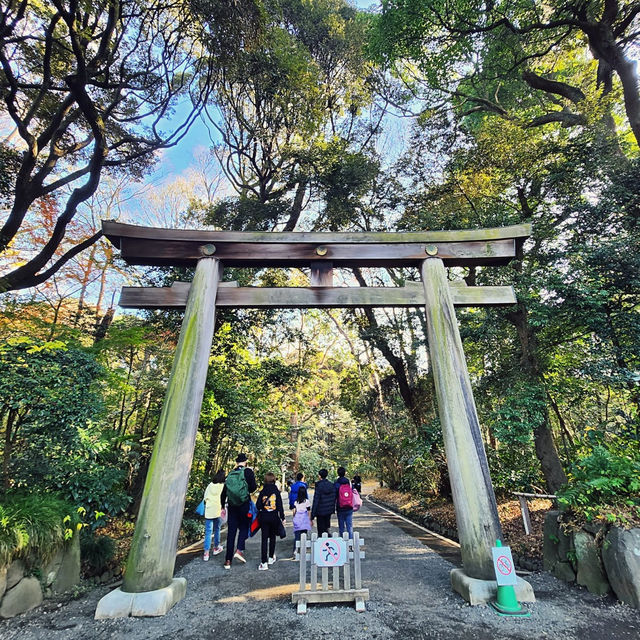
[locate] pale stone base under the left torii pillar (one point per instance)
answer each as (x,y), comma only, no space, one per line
(120,604)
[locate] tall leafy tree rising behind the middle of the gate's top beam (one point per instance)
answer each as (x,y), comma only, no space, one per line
(285,104)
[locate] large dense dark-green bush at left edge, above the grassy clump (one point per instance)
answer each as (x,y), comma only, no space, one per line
(51,407)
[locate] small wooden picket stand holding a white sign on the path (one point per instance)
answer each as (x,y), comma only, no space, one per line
(327,591)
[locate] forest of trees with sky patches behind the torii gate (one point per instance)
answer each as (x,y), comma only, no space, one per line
(317,115)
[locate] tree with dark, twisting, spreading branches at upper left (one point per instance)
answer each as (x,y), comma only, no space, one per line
(89,88)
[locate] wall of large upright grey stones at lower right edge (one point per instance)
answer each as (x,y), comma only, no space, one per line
(600,558)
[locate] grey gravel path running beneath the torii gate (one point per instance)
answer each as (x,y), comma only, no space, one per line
(410,598)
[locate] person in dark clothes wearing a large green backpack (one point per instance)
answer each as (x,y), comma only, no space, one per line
(238,487)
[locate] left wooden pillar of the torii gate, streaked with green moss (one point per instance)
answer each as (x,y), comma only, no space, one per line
(152,556)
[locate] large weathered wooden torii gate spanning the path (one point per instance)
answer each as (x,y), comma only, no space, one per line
(149,587)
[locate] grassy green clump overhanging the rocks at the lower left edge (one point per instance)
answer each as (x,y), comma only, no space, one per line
(33,526)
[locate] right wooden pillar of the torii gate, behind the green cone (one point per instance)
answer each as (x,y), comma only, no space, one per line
(473,495)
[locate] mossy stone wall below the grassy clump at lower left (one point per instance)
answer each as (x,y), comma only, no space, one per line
(21,591)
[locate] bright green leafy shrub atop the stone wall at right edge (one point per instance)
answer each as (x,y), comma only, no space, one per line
(604,485)
